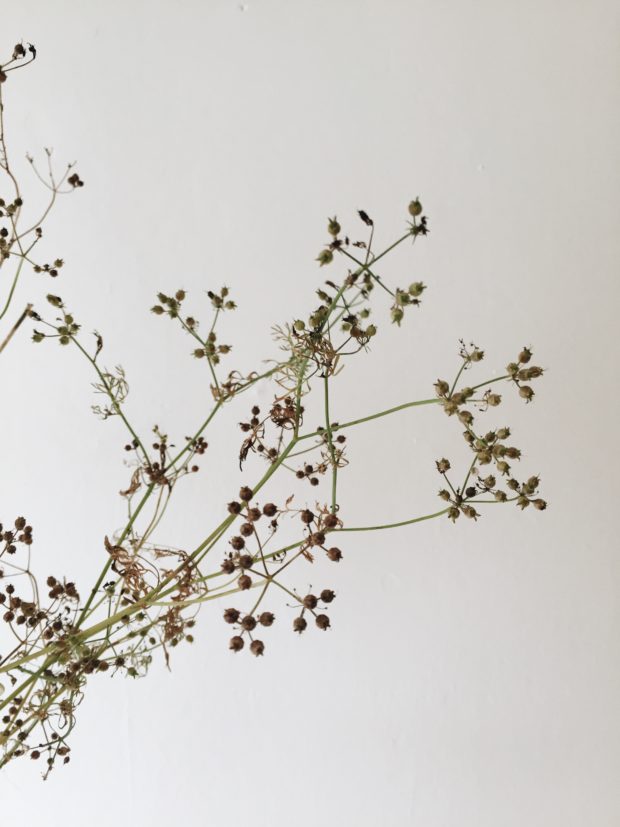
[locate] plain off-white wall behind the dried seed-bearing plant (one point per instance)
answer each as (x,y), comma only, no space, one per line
(472,674)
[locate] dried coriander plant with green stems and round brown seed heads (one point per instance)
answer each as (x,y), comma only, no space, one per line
(146,595)
